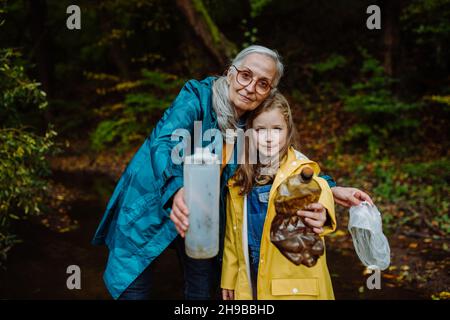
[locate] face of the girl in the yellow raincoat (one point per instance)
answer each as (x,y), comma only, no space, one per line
(270,132)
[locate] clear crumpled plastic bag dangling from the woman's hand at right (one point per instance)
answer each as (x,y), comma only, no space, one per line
(371,245)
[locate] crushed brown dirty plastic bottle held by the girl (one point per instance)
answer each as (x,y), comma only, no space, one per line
(288,232)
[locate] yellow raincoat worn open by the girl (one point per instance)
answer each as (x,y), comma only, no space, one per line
(278,278)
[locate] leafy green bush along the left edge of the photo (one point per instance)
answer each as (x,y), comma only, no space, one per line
(23,152)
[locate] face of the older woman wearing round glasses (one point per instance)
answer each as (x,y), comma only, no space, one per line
(246,98)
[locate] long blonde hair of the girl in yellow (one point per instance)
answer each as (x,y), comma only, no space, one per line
(248,174)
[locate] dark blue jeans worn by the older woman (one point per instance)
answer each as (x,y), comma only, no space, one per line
(201,278)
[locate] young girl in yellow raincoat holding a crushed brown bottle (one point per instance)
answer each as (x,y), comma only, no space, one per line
(253,268)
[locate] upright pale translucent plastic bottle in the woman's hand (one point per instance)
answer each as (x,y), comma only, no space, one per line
(201,183)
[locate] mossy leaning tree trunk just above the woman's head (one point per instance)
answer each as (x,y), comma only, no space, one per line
(217,44)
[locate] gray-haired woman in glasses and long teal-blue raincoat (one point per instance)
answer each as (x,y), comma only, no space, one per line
(147,210)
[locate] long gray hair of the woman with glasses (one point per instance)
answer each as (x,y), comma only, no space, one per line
(226,113)
